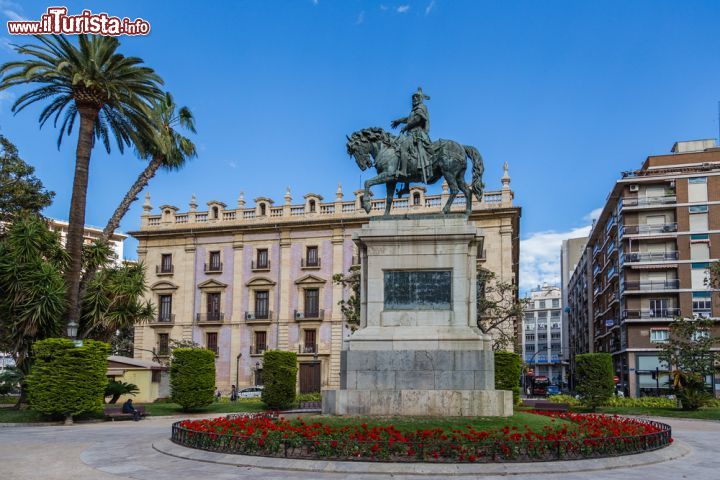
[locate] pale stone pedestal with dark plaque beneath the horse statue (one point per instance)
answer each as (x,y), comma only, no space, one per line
(418,351)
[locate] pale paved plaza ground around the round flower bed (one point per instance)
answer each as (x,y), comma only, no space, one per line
(129,450)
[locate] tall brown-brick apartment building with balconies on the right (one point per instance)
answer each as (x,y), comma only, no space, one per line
(647,262)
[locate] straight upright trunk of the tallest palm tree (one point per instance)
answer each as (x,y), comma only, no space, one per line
(76,226)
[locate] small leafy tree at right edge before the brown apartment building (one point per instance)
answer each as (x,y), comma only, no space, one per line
(688,353)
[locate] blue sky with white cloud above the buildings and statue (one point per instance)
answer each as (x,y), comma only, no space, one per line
(568,93)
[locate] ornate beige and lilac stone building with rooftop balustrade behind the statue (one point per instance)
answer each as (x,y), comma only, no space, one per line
(242,280)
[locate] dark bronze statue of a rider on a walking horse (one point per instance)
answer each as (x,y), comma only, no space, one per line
(413,157)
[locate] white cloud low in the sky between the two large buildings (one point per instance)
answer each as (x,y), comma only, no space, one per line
(540,255)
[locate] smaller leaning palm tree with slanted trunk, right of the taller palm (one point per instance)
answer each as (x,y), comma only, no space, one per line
(166,148)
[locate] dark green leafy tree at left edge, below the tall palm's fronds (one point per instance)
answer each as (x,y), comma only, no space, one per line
(21,192)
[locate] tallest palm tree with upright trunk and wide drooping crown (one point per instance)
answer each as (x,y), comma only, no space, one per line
(107,90)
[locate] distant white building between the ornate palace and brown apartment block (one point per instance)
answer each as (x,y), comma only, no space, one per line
(542,338)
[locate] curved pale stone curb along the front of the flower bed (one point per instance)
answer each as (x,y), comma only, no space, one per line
(672,452)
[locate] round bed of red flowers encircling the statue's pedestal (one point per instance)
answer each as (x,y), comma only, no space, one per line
(583,436)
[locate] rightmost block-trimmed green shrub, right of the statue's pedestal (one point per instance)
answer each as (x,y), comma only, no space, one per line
(595,383)
